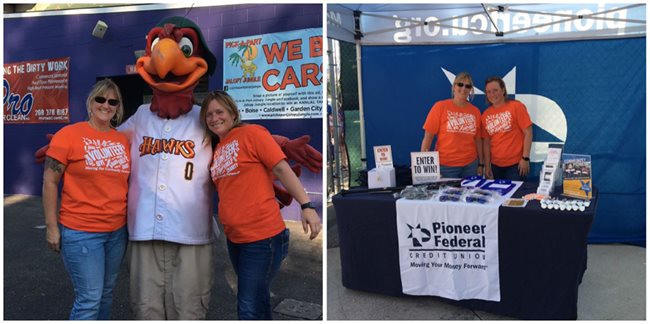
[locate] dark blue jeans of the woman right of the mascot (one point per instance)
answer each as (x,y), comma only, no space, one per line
(256,264)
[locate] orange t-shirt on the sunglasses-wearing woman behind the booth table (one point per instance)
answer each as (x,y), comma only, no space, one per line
(457,128)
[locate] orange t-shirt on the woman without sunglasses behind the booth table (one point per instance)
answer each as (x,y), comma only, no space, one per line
(505,128)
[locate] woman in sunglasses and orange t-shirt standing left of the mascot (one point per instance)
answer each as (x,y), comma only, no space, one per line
(93,160)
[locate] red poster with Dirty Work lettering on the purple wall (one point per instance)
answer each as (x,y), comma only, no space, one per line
(36,91)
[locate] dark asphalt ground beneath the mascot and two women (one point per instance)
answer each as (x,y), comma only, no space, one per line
(36,286)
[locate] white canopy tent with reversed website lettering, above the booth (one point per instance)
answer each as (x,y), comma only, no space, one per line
(427,24)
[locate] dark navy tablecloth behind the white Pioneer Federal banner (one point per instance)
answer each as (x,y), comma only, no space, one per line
(542,254)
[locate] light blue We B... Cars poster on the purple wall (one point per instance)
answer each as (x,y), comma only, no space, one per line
(276,76)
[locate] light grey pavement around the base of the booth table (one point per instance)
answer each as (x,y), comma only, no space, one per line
(613,288)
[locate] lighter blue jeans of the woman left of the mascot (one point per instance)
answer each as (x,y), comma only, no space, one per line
(93,261)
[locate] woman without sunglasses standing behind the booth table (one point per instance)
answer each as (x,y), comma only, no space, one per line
(507,134)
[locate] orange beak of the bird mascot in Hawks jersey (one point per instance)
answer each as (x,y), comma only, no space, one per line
(168,70)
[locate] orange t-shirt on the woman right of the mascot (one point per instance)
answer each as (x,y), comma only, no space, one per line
(241,172)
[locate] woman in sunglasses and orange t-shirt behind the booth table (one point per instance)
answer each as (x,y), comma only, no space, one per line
(457,123)
